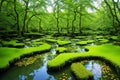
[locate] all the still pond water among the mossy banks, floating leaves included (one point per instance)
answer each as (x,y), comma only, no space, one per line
(35,67)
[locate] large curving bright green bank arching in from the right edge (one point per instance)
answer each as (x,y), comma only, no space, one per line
(108,51)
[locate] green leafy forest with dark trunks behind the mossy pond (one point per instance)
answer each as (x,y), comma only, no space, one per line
(60,16)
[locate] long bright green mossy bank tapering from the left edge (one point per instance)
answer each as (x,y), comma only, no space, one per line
(10,54)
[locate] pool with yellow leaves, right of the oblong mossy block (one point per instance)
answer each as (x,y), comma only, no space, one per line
(98,69)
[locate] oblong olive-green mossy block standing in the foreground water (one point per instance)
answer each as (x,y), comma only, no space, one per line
(81,72)
